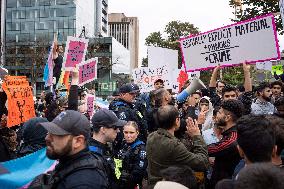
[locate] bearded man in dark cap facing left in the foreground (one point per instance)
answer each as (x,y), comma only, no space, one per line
(66,142)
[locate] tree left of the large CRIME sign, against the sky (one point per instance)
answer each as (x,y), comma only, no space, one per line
(173,31)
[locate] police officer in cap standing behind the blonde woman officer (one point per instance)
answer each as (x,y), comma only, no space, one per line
(125,109)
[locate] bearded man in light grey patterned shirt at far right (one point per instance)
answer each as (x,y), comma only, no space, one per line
(262,104)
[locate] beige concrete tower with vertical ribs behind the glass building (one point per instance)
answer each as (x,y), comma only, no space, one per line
(126,31)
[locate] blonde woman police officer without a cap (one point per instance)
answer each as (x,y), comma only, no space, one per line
(133,157)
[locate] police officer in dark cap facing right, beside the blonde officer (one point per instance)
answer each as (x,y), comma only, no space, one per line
(105,126)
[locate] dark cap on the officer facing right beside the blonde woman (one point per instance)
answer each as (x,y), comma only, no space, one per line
(106,118)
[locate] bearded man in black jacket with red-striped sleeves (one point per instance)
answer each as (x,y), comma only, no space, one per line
(225,151)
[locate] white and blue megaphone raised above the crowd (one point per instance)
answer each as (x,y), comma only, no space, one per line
(195,85)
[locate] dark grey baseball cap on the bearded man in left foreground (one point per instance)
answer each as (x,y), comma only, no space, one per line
(69,122)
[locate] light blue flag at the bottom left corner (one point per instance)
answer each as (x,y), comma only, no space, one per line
(18,173)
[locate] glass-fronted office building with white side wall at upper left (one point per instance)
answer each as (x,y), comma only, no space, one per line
(30,26)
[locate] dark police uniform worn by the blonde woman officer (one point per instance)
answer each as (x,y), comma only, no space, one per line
(134,164)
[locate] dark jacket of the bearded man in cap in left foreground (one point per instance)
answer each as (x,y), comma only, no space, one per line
(80,171)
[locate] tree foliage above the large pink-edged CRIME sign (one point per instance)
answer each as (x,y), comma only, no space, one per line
(255,8)
